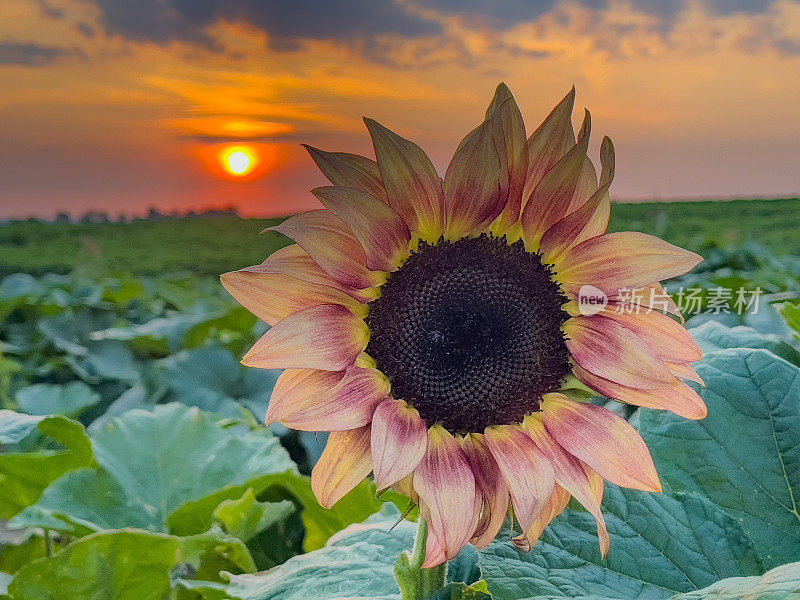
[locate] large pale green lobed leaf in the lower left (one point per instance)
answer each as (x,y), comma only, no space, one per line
(165,470)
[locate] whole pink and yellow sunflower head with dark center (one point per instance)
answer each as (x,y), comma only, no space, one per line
(435,328)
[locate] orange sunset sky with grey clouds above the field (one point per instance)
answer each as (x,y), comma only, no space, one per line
(120,106)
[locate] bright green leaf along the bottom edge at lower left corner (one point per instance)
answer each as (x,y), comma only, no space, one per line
(123,565)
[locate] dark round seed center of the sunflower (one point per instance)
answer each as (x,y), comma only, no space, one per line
(469,332)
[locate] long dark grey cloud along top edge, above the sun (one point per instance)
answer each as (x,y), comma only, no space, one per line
(286,21)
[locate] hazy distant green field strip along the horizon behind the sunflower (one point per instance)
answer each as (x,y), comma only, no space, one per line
(210,245)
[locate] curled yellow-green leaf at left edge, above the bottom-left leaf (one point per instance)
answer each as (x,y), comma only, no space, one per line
(25,475)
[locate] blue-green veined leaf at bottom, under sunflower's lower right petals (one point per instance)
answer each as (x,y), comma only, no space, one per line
(659,546)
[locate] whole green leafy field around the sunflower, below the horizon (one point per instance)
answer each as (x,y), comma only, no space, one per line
(134,463)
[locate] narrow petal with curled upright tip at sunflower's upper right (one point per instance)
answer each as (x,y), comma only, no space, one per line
(588,221)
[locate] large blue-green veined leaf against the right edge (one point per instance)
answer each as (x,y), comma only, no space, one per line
(745,456)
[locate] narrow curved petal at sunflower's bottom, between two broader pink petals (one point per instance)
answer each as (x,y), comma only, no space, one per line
(491,486)
